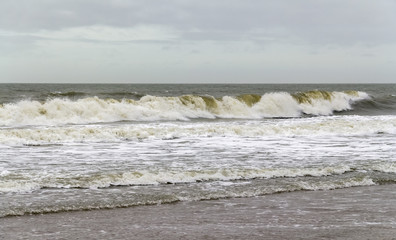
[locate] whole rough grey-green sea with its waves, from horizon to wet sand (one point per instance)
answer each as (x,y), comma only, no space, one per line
(80,147)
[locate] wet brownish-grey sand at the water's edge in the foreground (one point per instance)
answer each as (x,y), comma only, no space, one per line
(353,213)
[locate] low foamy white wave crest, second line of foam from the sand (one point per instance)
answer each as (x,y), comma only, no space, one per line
(147,177)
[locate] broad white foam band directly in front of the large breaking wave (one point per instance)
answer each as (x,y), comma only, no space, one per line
(321,126)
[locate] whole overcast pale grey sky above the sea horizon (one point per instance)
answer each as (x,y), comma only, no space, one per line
(197,41)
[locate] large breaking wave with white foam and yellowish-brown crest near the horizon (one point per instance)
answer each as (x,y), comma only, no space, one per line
(63,111)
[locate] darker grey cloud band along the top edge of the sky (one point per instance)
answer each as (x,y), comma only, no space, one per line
(313,21)
